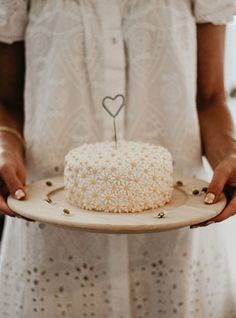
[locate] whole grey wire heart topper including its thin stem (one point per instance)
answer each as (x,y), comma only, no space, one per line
(113,109)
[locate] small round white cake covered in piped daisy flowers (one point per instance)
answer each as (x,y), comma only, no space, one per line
(131,177)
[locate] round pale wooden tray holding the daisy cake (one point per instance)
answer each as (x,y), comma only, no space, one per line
(46,202)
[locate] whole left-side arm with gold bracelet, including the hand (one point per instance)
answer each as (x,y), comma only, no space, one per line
(12,170)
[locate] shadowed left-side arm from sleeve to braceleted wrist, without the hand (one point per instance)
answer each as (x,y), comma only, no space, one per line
(12,71)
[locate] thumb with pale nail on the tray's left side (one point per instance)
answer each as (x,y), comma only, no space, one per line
(13,183)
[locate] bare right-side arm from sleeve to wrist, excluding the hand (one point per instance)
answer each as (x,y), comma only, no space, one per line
(216,125)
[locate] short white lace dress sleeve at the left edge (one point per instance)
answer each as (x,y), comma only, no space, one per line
(13,20)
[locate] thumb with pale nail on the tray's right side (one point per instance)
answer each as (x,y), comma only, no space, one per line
(216,186)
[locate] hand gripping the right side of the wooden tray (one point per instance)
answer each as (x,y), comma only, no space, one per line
(224,180)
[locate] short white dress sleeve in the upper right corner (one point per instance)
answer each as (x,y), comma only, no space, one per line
(214,11)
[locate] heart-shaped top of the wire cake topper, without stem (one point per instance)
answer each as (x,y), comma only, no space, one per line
(113,105)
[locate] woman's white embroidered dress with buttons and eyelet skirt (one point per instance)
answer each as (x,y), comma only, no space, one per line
(77,52)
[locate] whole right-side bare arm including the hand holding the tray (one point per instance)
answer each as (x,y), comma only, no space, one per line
(216,123)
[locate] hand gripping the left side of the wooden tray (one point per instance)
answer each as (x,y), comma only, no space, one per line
(12,172)
